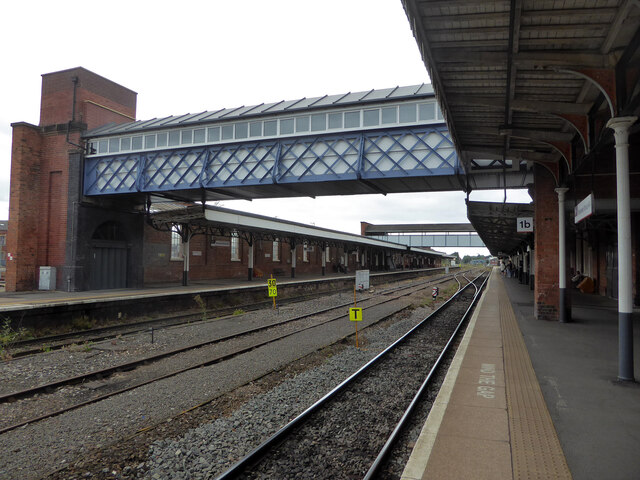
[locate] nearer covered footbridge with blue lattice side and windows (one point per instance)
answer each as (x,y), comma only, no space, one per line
(381,141)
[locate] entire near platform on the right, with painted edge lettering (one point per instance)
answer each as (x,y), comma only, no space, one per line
(526,398)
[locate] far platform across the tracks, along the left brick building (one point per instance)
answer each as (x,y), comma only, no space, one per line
(37,308)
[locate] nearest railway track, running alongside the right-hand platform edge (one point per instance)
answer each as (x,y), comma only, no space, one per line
(350,431)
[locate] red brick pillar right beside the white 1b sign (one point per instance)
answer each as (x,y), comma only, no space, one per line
(546,286)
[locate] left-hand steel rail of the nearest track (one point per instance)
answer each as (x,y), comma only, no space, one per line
(254,456)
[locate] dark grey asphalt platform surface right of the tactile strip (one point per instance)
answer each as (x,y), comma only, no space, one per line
(596,417)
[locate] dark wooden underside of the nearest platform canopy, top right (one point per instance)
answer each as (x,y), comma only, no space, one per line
(515,78)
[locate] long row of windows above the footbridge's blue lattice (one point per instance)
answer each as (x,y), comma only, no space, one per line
(319,122)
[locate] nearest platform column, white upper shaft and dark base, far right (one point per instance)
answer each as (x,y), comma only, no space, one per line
(620,126)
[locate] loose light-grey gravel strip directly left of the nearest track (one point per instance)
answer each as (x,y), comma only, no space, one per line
(208,450)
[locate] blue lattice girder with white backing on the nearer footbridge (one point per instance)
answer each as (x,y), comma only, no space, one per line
(375,154)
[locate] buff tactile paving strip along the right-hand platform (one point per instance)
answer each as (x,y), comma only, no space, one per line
(535,449)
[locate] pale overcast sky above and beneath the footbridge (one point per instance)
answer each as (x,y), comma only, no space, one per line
(190,56)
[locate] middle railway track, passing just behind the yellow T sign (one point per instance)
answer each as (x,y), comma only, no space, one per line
(304,323)
